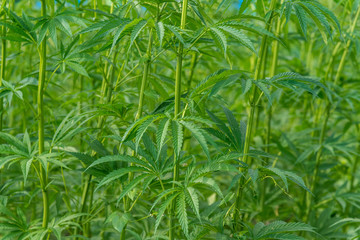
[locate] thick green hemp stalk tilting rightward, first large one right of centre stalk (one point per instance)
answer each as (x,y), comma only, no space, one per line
(253,102)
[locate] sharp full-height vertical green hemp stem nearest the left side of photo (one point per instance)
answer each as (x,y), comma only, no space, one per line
(40,106)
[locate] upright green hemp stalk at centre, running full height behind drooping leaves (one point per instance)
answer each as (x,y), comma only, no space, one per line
(177,111)
